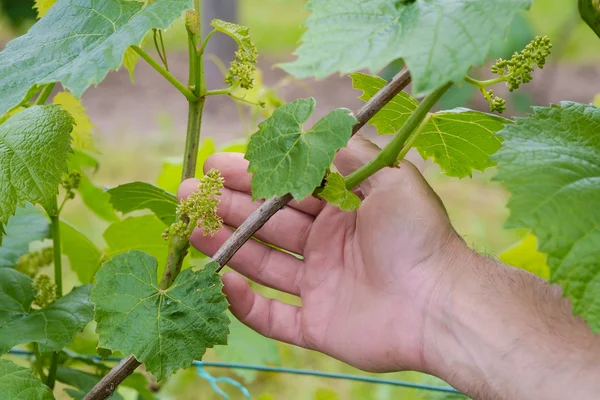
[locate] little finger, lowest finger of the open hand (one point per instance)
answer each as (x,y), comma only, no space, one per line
(269,317)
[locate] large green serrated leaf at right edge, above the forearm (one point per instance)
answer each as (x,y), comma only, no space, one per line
(550,163)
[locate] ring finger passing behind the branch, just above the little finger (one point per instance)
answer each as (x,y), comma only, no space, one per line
(256,261)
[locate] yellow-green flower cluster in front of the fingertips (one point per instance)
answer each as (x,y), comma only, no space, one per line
(199,209)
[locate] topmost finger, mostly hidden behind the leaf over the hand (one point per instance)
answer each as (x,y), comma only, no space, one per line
(234,169)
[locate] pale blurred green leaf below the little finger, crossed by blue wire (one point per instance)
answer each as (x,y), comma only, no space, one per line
(245,346)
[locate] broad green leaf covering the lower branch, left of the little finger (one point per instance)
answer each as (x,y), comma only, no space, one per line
(164,329)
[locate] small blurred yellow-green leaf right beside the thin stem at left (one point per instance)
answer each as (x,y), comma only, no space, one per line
(84,256)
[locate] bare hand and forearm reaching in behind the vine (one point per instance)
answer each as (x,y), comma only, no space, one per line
(393,287)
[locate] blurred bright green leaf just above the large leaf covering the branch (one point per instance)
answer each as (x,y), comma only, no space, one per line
(139,233)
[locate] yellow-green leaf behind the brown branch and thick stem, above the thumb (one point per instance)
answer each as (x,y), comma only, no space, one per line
(459,140)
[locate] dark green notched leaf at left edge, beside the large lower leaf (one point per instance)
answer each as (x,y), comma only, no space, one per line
(53,327)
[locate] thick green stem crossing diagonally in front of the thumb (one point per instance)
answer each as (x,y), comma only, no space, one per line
(389,155)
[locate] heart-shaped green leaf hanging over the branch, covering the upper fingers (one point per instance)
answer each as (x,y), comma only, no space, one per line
(285,159)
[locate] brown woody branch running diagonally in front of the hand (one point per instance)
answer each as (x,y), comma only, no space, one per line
(253,223)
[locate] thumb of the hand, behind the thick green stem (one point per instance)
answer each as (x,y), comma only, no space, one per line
(360,151)
